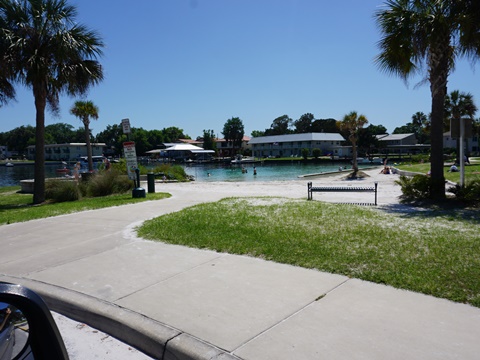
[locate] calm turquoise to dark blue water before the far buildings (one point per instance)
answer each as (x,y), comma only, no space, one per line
(10,176)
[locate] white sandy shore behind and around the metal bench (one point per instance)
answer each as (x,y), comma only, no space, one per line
(388,191)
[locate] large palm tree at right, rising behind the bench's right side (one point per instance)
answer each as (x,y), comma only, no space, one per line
(431,35)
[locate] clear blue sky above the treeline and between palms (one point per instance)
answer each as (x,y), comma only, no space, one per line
(194,64)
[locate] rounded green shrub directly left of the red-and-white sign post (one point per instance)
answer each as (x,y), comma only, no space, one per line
(107,183)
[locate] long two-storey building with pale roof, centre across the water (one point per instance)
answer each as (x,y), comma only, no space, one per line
(292,145)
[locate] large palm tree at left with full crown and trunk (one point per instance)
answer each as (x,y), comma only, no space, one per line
(43,48)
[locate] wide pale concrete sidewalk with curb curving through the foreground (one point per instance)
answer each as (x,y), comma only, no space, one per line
(173,302)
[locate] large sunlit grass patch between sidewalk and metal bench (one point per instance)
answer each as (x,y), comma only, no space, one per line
(434,252)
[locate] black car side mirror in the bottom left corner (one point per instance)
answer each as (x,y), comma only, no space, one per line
(27,329)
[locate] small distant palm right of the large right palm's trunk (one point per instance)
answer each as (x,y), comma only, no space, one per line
(459,107)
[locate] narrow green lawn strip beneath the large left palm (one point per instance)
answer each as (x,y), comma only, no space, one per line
(17,207)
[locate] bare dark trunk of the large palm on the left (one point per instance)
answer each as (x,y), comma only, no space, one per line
(39,170)
